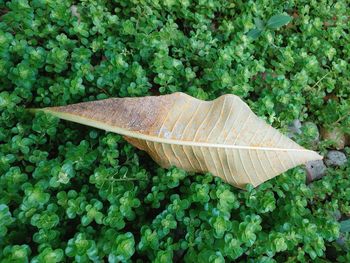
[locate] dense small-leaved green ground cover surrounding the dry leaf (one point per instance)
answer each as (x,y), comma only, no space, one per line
(69,192)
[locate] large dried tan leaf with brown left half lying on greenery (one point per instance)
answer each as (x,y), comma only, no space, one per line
(222,136)
